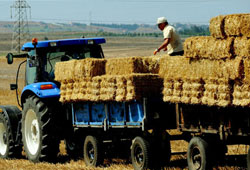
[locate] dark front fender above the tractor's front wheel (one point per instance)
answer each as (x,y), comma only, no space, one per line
(14,115)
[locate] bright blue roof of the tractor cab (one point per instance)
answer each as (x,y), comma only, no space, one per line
(65,42)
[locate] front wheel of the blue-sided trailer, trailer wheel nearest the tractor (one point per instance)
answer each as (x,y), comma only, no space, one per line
(92,150)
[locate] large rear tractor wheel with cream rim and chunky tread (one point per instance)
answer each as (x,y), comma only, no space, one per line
(39,137)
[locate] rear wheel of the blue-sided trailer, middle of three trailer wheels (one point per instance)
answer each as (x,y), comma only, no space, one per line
(140,154)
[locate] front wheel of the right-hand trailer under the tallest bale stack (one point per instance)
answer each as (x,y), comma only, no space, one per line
(197,154)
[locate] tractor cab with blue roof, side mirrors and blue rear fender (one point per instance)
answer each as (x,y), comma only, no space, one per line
(41,57)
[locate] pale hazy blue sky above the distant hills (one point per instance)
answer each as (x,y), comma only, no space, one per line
(126,11)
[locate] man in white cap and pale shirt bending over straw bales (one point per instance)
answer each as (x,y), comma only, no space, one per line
(172,42)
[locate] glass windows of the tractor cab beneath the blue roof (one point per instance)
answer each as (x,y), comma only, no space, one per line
(59,54)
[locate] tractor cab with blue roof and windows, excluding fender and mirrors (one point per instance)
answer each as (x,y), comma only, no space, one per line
(43,55)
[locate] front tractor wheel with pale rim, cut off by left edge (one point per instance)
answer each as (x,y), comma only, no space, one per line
(8,149)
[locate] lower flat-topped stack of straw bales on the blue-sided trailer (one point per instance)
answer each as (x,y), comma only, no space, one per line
(115,79)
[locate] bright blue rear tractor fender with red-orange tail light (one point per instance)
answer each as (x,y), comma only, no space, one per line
(52,91)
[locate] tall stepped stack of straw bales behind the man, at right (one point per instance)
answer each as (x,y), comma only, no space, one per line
(215,70)
